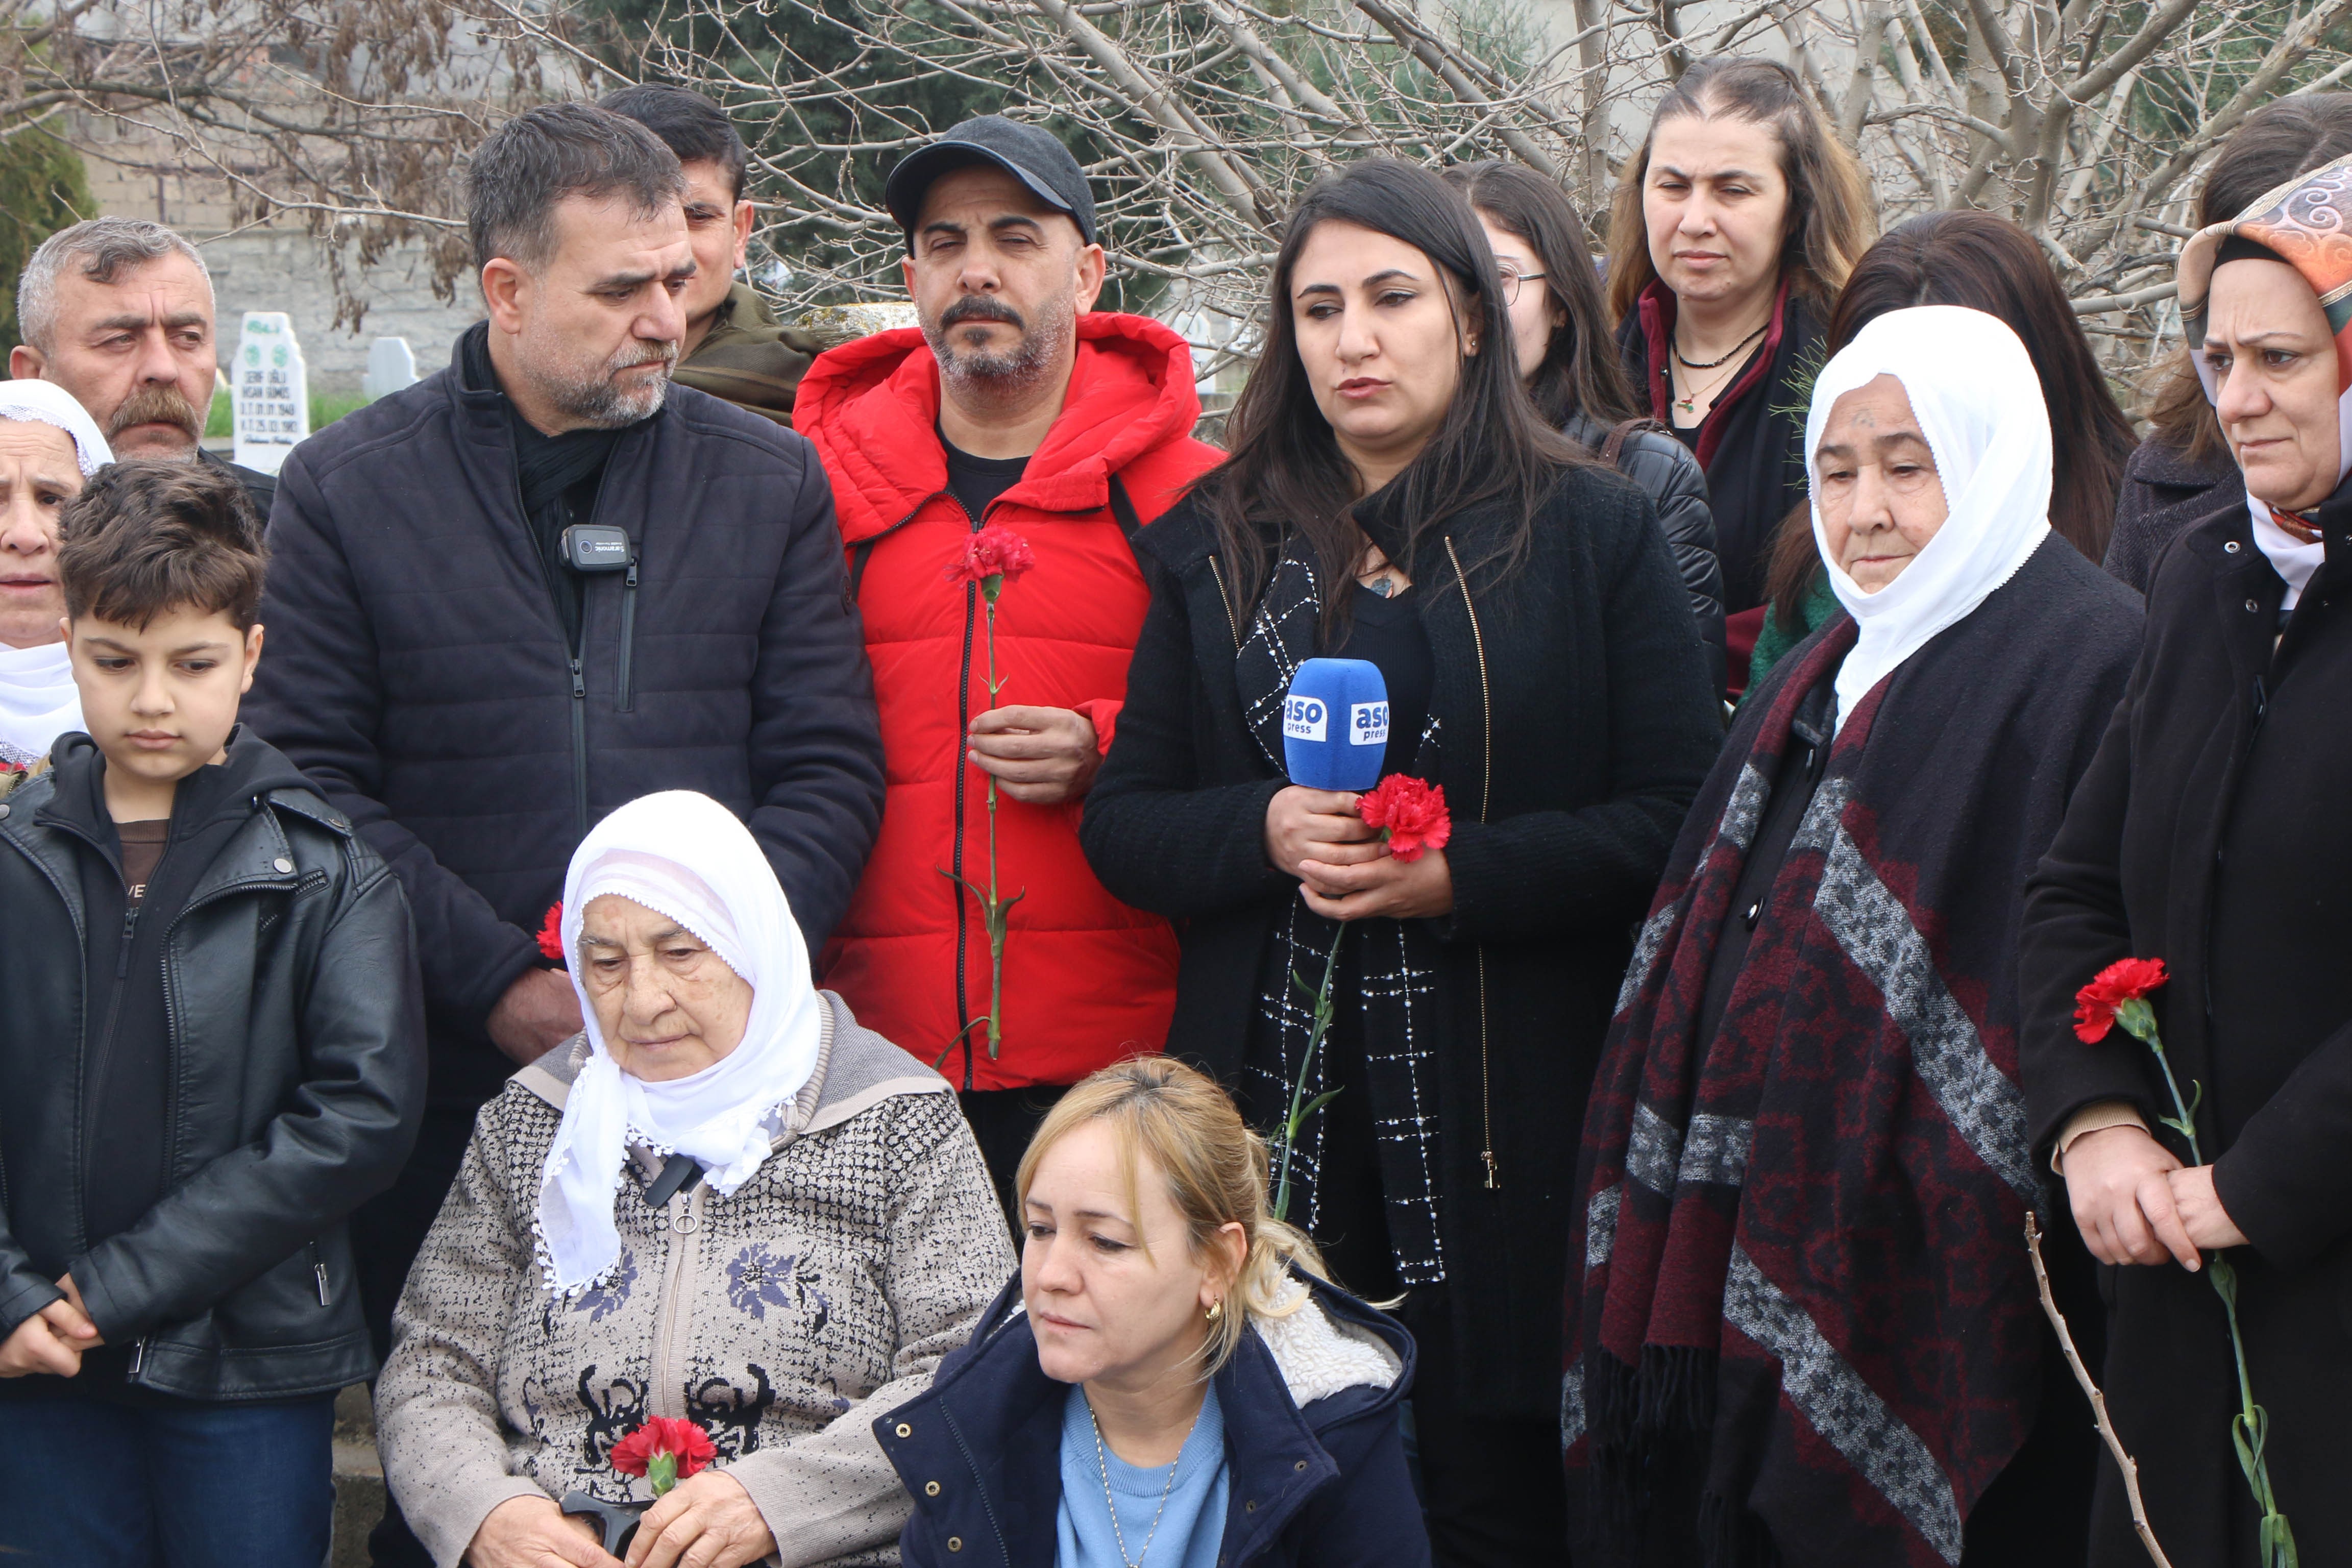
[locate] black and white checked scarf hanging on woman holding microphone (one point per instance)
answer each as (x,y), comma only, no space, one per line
(1396,965)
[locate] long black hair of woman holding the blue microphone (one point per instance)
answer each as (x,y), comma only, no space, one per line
(1285,471)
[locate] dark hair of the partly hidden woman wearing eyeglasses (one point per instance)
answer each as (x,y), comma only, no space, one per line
(1539,215)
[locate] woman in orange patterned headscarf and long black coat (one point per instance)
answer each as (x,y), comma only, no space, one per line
(2210,833)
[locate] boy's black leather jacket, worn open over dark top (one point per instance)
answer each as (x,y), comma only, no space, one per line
(298,1080)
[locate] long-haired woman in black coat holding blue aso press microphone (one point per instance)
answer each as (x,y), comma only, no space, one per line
(1391,497)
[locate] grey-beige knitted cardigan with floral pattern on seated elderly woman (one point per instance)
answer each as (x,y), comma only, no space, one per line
(782,1320)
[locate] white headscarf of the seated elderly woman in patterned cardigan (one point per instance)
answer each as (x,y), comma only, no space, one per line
(690,859)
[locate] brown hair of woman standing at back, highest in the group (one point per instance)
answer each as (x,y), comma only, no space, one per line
(1829,196)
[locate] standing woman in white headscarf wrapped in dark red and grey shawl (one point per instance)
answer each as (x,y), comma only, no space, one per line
(1805,1327)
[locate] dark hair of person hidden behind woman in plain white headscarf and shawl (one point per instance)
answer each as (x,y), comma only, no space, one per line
(1986,264)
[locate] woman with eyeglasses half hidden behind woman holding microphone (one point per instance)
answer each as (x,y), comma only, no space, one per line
(1553,297)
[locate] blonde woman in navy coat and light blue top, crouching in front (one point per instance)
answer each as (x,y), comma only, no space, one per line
(1170,1379)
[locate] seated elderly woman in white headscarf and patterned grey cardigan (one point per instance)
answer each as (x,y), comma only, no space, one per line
(721,1205)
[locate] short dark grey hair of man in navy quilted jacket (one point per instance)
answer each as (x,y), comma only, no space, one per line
(535,161)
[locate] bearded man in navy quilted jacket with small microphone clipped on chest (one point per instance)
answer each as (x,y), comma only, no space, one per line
(547,582)
